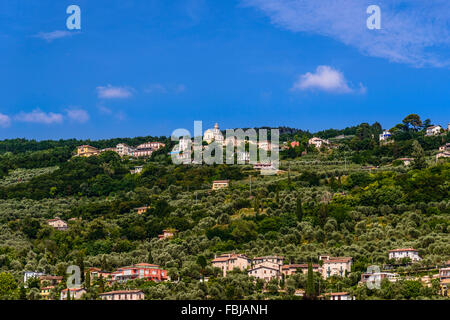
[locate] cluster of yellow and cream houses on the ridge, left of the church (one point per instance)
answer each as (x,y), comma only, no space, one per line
(142,150)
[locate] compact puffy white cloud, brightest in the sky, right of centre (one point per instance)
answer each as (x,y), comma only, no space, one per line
(325,78)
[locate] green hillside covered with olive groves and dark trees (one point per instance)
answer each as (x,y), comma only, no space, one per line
(355,199)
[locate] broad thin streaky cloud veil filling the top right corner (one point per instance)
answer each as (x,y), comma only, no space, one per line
(415,32)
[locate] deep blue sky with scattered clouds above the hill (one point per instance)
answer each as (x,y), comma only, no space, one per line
(149,67)
